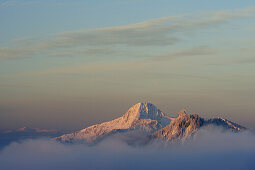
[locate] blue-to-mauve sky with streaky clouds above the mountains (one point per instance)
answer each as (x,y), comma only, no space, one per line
(69,64)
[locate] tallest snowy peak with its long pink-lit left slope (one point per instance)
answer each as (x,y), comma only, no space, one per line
(144,116)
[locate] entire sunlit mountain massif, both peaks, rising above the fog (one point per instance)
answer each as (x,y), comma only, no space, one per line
(152,122)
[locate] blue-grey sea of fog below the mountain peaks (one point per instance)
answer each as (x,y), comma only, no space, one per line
(209,149)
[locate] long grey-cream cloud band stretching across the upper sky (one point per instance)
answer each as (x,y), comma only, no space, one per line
(160,32)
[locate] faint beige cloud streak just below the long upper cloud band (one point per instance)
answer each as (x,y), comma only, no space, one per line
(134,65)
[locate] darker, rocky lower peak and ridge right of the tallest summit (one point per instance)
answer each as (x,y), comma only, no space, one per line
(185,125)
